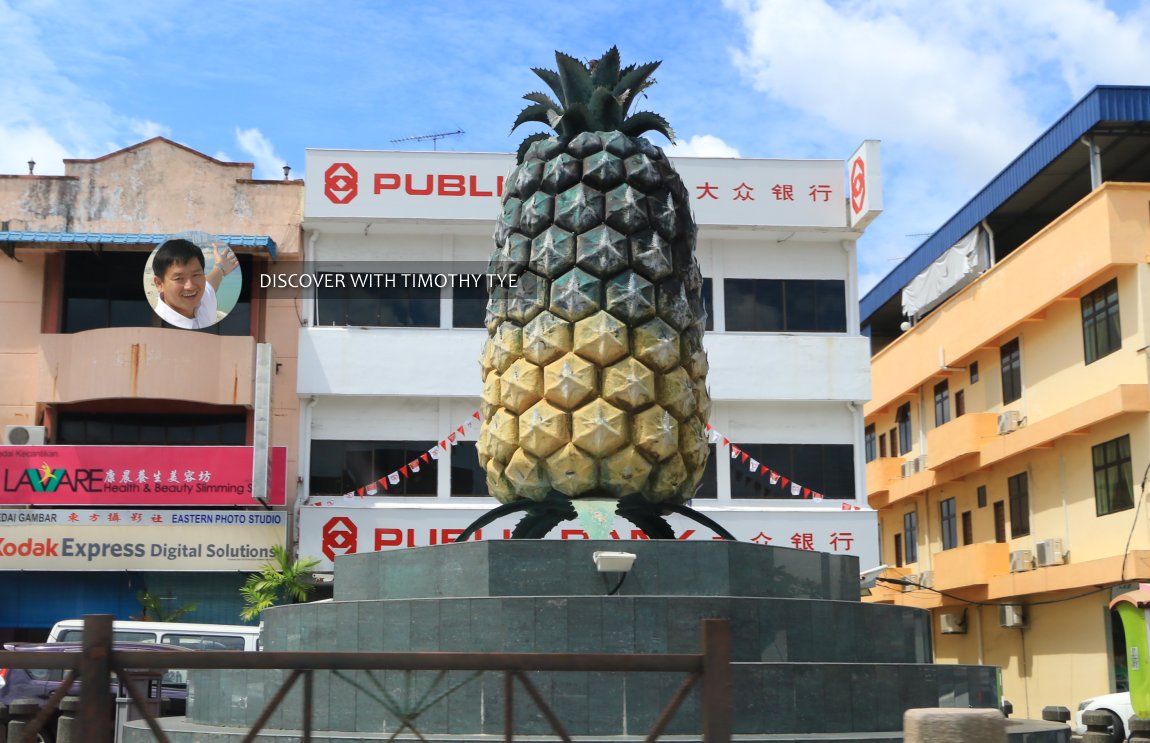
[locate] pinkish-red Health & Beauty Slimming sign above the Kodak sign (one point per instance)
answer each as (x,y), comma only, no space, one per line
(135,476)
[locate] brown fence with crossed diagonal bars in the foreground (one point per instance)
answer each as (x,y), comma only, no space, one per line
(101,662)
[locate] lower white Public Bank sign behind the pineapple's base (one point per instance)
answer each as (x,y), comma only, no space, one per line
(326,532)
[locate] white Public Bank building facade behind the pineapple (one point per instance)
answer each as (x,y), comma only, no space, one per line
(389,376)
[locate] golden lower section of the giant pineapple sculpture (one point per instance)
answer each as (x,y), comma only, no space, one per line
(568,410)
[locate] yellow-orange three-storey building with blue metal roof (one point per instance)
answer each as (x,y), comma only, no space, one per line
(1009,434)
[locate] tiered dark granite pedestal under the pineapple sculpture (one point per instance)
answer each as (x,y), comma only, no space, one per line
(811,662)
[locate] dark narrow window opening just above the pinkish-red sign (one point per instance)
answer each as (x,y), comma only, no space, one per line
(147,430)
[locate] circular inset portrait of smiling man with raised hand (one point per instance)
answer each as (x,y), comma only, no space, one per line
(193,280)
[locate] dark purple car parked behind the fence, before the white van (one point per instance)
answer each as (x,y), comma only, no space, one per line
(40,684)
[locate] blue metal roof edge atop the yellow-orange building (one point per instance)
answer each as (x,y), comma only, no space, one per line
(1105,103)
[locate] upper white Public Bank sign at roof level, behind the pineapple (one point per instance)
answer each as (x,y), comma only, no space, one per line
(449,186)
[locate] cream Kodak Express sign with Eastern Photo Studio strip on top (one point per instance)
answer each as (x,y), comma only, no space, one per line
(139,540)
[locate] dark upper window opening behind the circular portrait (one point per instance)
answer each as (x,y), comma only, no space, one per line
(105,290)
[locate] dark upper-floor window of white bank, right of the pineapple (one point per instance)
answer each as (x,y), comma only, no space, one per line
(794,305)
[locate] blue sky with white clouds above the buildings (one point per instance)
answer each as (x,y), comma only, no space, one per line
(954,90)
